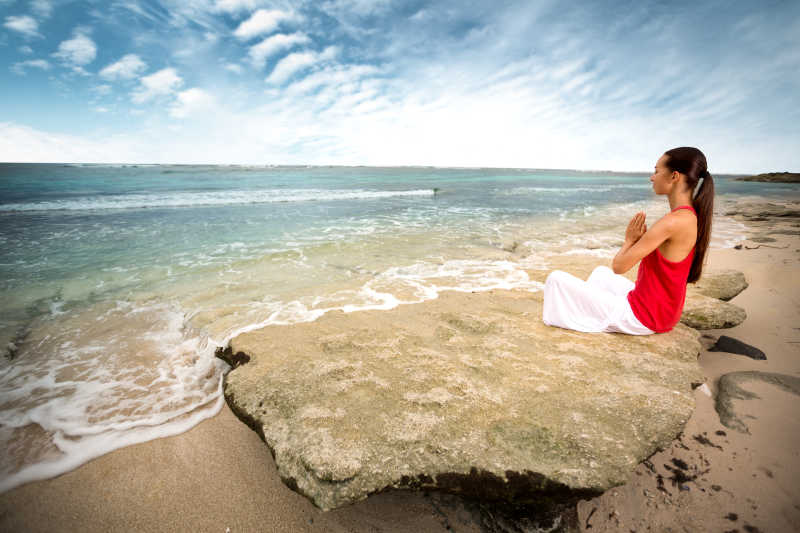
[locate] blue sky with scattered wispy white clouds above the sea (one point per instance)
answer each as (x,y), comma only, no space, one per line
(534,84)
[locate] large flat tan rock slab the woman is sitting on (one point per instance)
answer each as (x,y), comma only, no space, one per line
(468,393)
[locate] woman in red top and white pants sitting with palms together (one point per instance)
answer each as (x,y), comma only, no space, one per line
(671,254)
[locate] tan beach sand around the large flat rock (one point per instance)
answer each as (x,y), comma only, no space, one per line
(219,476)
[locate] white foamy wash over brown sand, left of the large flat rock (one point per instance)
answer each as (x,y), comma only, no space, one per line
(99,379)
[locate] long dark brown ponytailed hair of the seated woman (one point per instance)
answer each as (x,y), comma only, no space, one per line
(692,163)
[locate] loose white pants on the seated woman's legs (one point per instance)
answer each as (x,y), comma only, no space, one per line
(599,304)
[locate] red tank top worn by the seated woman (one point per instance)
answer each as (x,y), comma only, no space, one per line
(657,299)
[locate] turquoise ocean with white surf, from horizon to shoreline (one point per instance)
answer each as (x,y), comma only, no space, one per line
(119,282)
